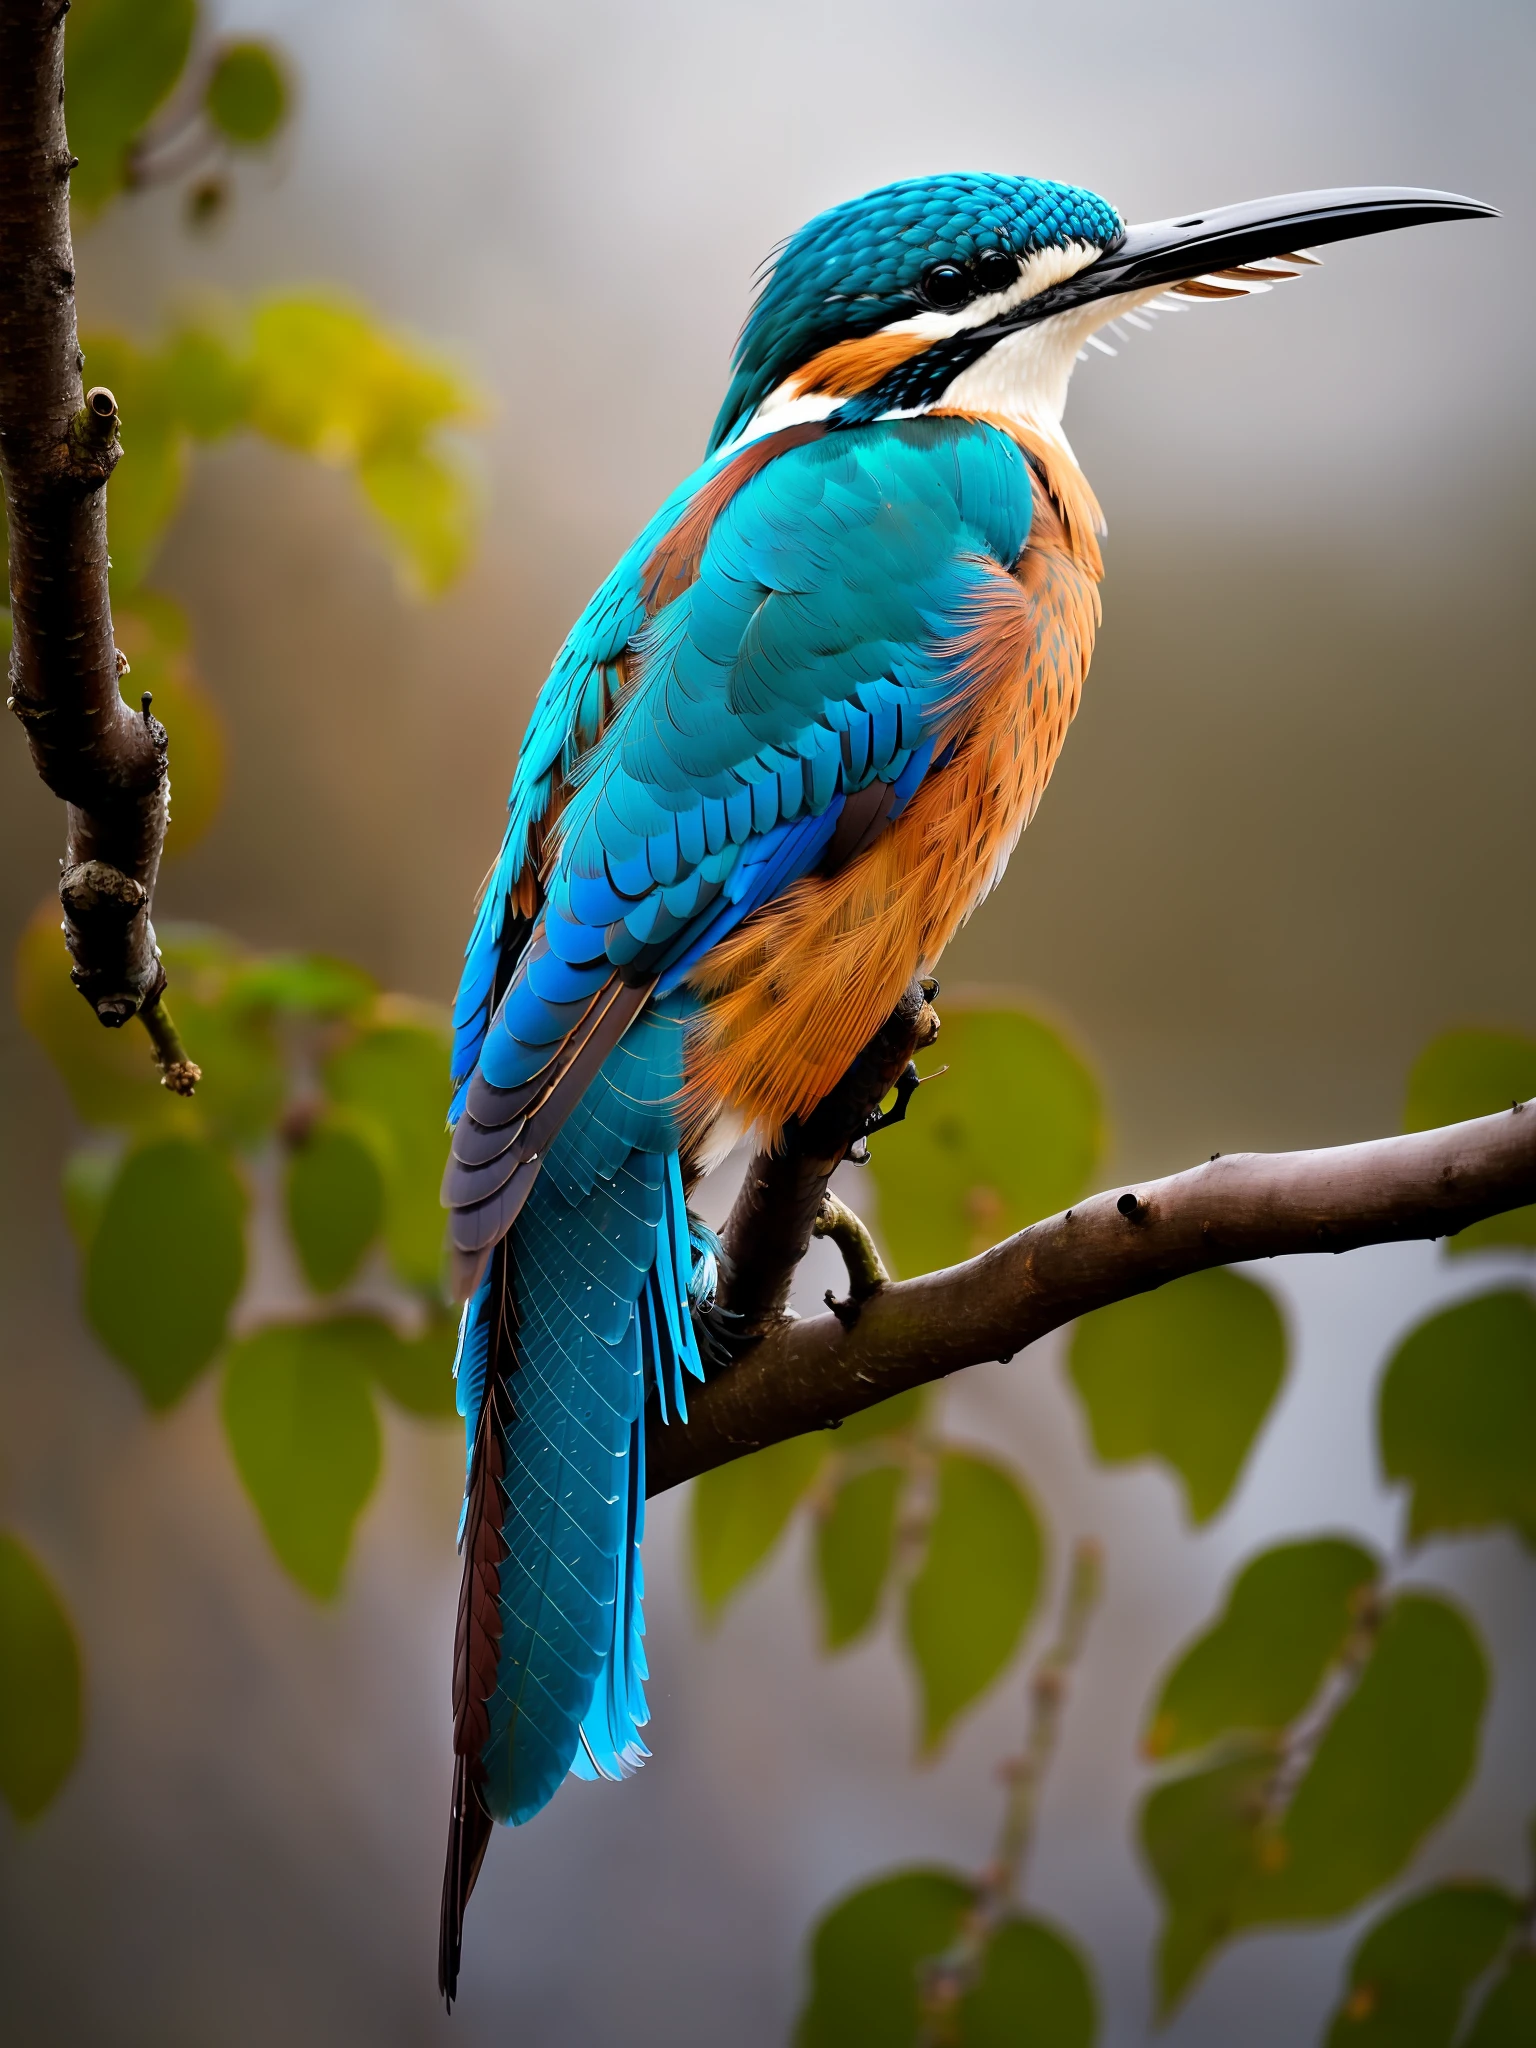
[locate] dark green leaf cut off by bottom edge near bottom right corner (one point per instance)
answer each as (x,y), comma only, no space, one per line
(1412,1971)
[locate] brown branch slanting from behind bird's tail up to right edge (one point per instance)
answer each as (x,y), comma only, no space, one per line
(1240,1207)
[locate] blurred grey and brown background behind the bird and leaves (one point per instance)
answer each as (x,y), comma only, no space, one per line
(1291,841)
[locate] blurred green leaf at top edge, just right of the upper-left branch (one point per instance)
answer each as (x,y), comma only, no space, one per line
(122,62)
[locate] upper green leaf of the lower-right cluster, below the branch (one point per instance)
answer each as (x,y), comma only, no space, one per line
(1287,1621)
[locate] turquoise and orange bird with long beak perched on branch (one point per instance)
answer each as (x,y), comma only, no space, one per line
(783,755)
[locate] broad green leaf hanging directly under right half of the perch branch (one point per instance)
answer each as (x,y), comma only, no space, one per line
(1187,1375)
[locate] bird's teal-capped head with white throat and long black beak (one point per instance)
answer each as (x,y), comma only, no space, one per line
(980,292)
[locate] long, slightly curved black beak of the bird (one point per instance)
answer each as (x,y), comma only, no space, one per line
(1228,239)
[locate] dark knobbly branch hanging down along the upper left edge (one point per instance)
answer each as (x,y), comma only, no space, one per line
(58,445)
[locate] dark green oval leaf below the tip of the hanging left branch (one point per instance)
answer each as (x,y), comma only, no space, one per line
(167,1265)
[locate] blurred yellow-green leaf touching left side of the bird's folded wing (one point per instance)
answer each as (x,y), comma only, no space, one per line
(398,1076)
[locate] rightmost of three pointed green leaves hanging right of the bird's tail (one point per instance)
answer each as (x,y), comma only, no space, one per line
(976,1590)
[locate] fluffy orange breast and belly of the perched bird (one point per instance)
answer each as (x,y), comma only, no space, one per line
(802,986)
